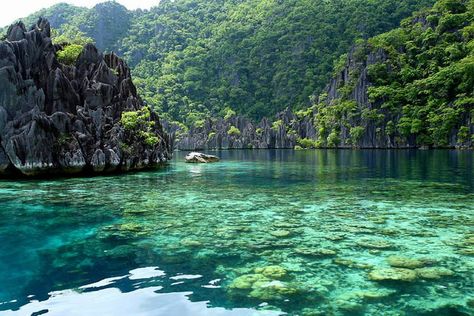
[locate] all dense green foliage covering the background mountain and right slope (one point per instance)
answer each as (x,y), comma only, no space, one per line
(192,59)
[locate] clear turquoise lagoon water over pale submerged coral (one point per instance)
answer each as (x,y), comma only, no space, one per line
(261,233)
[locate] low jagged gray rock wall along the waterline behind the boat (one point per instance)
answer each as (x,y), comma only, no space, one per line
(238,132)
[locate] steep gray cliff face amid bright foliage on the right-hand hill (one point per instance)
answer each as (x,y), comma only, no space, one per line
(352,84)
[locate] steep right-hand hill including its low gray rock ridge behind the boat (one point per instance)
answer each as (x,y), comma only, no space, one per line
(410,87)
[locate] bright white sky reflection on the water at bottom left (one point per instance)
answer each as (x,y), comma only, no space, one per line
(125,296)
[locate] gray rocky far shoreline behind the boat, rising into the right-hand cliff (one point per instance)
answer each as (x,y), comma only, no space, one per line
(369,125)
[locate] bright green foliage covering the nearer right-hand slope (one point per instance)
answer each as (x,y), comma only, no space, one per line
(424,87)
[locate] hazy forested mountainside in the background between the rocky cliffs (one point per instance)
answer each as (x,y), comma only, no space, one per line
(195,58)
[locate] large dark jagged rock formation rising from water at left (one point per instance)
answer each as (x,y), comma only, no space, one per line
(65,119)
